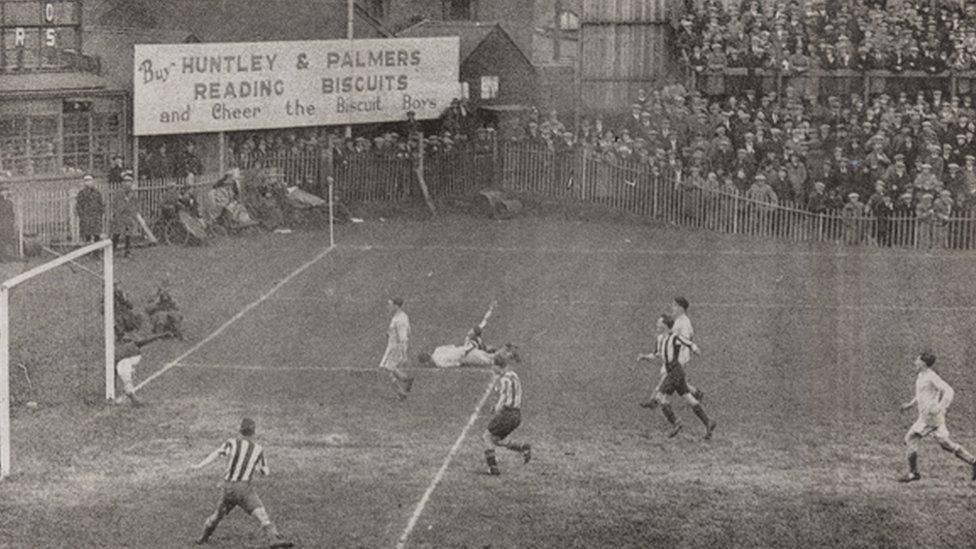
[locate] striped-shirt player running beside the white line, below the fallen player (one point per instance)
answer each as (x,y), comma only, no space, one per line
(507,416)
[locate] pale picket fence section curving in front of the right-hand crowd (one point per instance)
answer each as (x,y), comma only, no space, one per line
(634,188)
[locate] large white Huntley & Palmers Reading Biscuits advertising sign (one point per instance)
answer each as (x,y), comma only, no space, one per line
(194,88)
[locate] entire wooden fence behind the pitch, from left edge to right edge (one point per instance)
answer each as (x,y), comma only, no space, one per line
(48,215)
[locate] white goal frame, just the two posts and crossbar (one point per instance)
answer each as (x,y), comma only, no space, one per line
(103,249)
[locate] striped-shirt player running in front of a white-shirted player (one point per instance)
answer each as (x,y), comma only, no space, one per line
(669,346)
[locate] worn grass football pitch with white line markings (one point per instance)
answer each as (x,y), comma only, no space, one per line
(806,359)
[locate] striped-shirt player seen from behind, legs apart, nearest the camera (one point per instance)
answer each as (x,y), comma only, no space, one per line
(246,458)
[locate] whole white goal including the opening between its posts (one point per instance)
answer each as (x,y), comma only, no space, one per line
(57,337)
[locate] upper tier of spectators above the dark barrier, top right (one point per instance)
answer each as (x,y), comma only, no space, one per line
(928,35)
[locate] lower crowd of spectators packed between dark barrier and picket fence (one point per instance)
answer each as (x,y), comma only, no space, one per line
(817,155)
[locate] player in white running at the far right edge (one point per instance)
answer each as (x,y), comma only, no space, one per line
(932,398)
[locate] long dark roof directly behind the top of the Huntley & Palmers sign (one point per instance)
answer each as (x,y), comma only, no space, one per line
(237,20)
